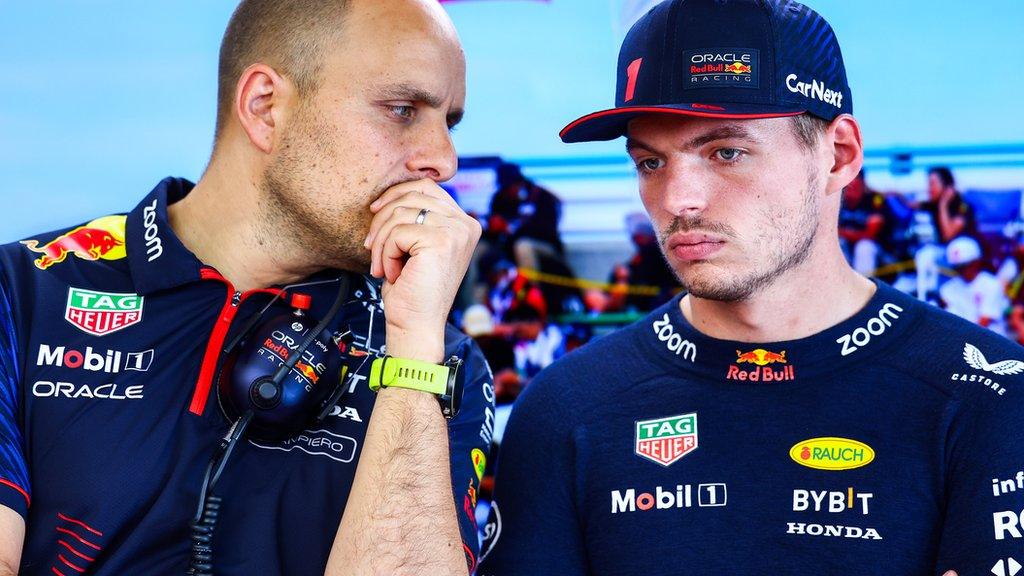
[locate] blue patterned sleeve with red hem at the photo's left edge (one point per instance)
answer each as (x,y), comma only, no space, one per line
(14,472)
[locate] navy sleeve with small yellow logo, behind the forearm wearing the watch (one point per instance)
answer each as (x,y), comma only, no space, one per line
(470,444)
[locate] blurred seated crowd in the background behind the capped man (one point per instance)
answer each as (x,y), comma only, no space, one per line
(526,308)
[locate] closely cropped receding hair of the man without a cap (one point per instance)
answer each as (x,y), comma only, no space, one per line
(291,36)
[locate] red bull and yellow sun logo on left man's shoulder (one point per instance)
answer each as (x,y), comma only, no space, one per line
(101,239)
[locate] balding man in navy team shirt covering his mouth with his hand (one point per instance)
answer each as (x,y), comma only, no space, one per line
(125,342)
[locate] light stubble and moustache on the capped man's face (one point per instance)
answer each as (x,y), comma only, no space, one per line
(787,251)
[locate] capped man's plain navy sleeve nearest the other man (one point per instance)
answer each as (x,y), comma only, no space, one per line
(534,526)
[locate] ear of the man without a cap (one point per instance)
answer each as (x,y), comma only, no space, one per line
(262,99)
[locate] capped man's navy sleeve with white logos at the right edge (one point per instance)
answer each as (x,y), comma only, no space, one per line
(984,530)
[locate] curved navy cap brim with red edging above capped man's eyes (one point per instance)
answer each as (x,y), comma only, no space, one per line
(612,124)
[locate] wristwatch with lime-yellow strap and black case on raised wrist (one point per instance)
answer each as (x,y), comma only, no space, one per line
(445,381)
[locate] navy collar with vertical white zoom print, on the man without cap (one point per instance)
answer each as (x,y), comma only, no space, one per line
(157,259)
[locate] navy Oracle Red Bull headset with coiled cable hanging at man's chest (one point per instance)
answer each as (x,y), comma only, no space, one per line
(280,377)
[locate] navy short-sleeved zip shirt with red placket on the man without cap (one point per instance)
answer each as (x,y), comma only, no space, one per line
(110,339)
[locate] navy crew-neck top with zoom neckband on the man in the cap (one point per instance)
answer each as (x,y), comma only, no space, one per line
(887,445)
